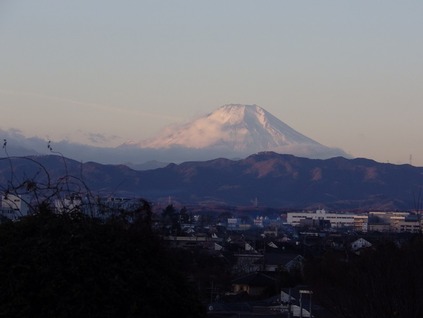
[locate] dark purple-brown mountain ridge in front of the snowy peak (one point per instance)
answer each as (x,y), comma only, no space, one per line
(266,179)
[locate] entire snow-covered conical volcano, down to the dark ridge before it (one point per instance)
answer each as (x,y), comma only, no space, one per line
(233,131)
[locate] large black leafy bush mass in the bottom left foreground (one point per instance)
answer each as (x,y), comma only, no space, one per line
(71,265)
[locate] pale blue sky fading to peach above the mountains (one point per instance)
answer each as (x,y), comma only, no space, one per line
(347,74)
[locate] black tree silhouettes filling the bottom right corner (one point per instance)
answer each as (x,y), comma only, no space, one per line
(385,281)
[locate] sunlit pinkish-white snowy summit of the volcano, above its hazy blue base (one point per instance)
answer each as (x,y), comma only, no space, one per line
(238,127)
